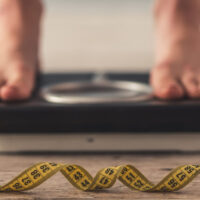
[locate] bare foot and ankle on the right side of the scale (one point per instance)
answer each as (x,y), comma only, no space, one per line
(177,70)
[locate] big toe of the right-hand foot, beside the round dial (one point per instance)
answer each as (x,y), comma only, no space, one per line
(165,83)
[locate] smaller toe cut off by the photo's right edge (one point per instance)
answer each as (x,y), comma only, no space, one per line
(191,85)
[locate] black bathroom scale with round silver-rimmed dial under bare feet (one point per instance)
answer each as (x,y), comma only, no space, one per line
(84,112)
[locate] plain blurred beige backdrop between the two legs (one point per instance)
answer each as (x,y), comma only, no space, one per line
(88,35)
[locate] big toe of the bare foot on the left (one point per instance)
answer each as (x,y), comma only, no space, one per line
(18,86)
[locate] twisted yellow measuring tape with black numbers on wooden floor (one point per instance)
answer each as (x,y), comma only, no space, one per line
(105,178)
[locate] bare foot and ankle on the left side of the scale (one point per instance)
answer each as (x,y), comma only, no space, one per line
(19,34)
